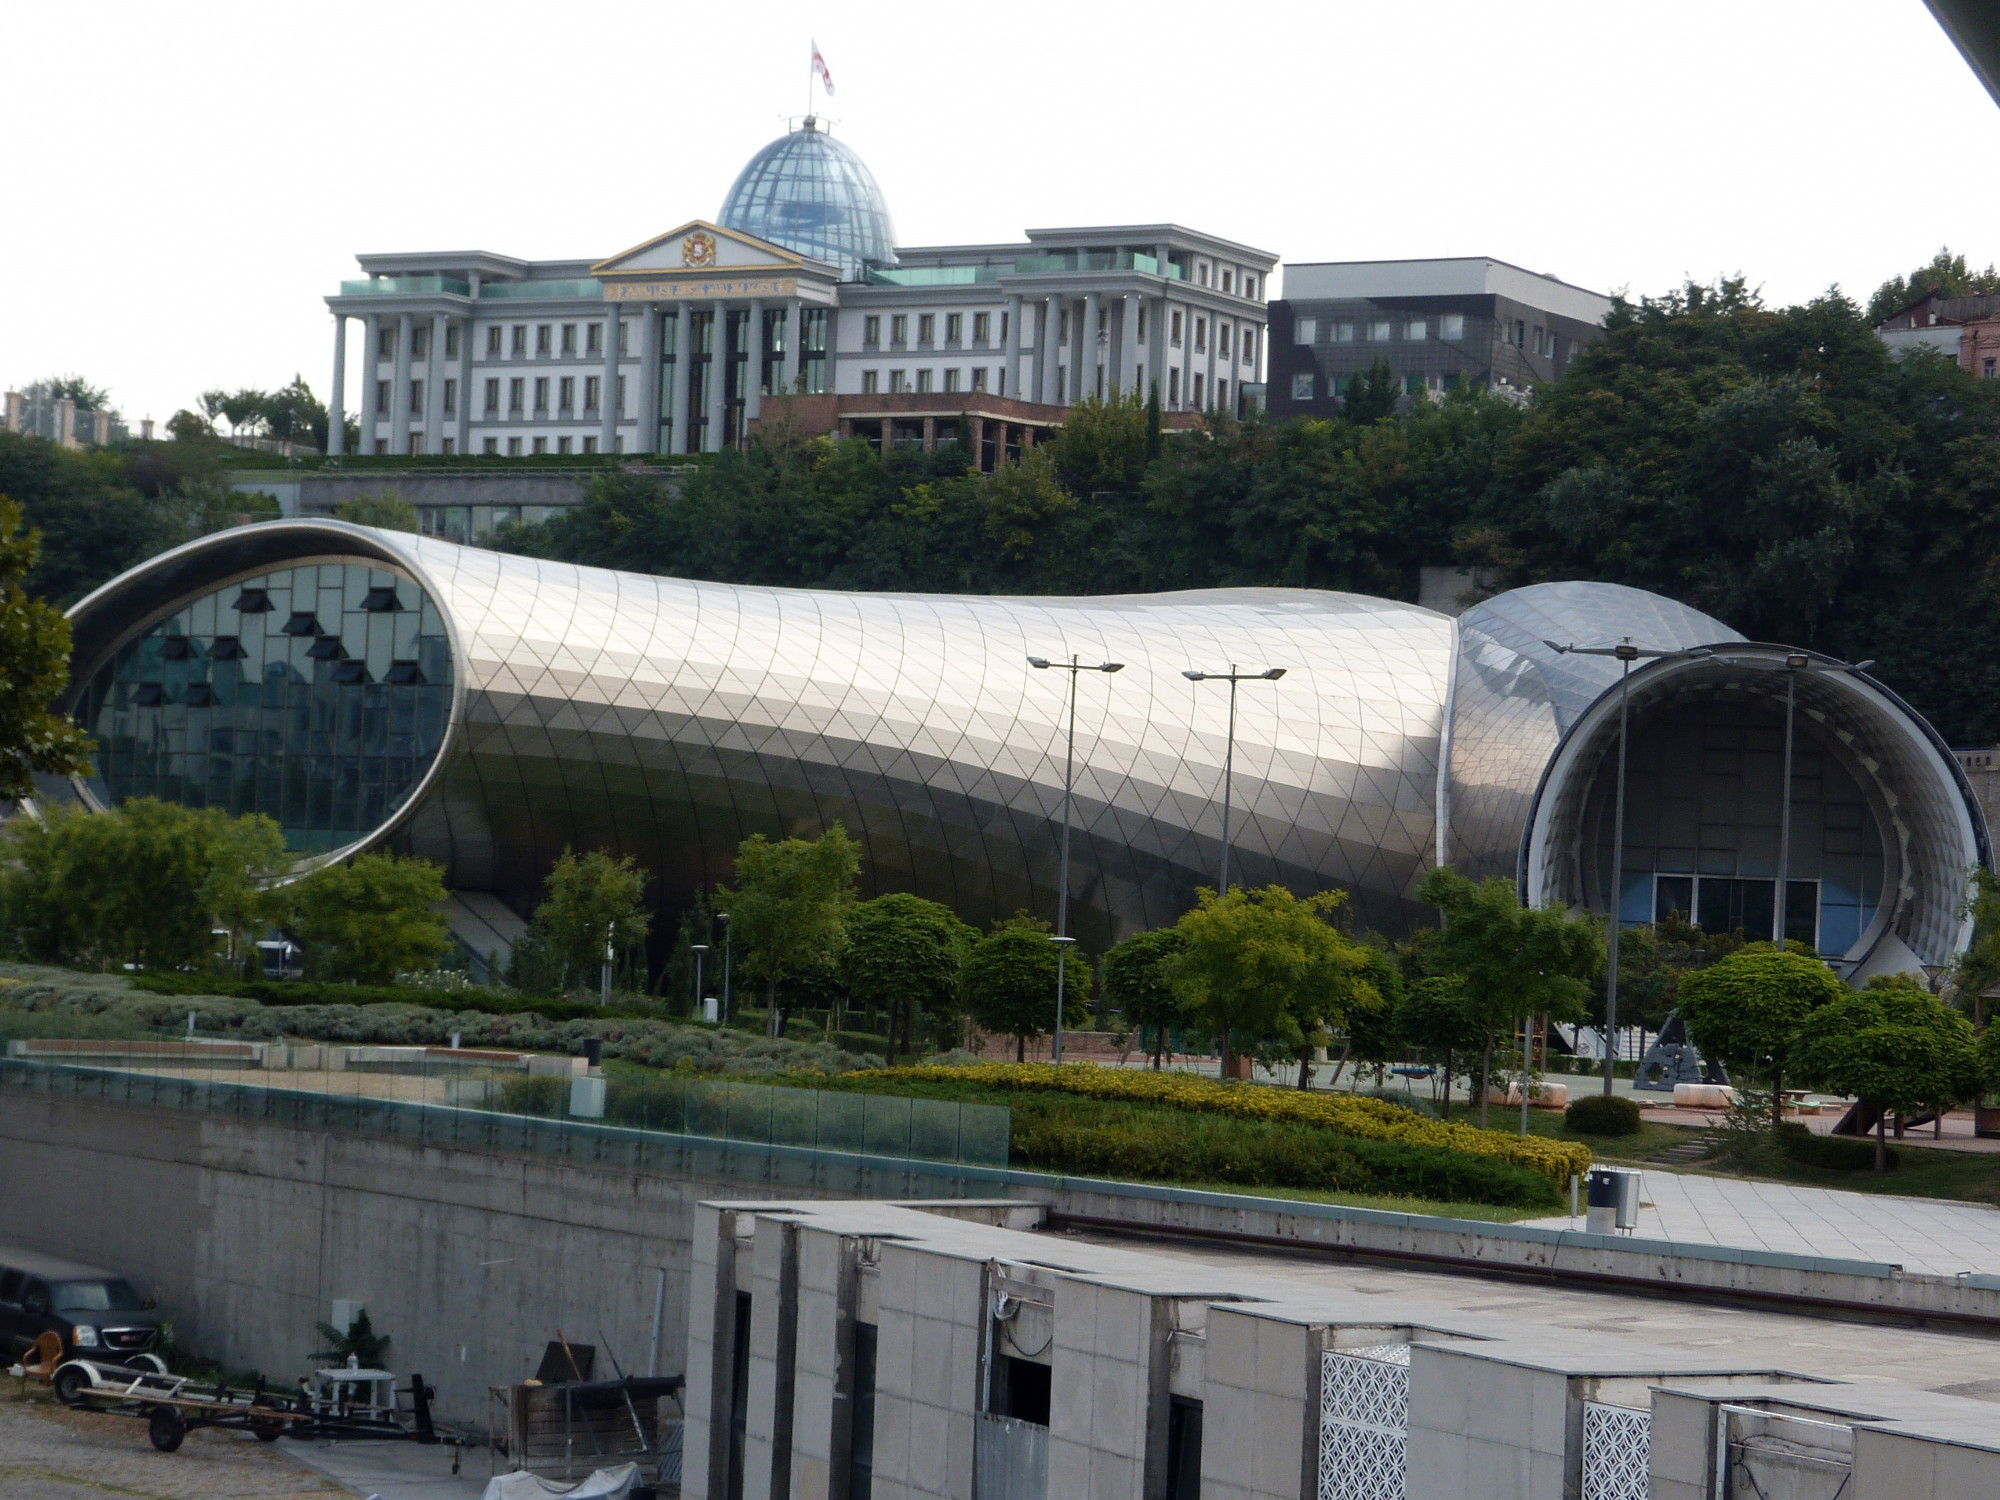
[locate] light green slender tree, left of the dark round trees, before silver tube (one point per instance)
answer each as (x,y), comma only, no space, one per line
(789,905)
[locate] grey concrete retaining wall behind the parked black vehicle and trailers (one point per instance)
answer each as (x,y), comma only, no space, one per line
(247,1231)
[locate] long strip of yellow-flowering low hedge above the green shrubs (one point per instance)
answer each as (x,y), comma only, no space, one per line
(1347,1113)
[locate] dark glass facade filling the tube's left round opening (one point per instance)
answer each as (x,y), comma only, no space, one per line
(315,695)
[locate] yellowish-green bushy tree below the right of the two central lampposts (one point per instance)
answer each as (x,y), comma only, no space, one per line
(1265,973)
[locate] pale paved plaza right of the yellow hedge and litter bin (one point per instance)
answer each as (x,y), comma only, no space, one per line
(1921,1235)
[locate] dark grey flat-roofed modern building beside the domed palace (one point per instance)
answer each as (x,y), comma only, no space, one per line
(1435,321)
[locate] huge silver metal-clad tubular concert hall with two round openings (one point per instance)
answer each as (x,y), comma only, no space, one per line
(485,711)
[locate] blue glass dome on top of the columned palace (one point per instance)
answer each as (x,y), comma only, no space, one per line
(813,195)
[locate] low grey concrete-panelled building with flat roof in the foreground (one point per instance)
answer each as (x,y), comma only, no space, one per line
(951,1351)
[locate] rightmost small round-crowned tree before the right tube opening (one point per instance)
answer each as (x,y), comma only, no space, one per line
(1893,1047)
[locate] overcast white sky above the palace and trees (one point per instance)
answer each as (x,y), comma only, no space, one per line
(189,181)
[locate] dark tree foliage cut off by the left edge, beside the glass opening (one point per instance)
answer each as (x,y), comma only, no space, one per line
(35,669)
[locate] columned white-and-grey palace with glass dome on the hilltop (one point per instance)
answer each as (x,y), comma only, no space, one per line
(795,289)
